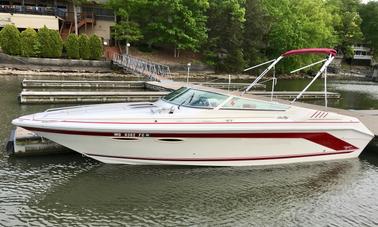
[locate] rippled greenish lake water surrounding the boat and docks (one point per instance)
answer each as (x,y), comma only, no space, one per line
(71,190)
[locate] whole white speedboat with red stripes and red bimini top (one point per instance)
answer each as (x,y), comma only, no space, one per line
(200,126)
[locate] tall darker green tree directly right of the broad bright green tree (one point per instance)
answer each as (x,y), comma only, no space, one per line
(225,24)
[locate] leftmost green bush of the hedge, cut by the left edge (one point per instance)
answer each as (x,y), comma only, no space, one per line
(10,40)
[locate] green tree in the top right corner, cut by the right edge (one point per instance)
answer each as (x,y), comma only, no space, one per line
(369,26)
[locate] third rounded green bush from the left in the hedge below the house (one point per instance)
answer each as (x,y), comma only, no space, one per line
(51,43)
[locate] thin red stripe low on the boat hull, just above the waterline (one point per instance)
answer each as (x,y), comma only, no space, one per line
(222,159)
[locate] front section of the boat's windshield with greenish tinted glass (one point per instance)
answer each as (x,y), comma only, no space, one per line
(189,97)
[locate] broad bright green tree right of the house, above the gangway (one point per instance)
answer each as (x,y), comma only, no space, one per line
(176,24)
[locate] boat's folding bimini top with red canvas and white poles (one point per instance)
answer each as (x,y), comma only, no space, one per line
(331,53)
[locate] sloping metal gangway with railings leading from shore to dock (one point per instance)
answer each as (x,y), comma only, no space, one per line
(153,71)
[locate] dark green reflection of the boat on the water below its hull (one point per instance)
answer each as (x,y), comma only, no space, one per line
(145,195)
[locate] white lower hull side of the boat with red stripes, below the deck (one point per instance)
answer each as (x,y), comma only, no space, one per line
(212,149)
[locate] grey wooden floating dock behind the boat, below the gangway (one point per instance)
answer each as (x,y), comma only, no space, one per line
(101,95)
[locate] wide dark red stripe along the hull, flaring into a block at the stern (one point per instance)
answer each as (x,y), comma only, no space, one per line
(321,138)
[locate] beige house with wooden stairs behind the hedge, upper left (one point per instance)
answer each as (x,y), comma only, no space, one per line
(92,17)
